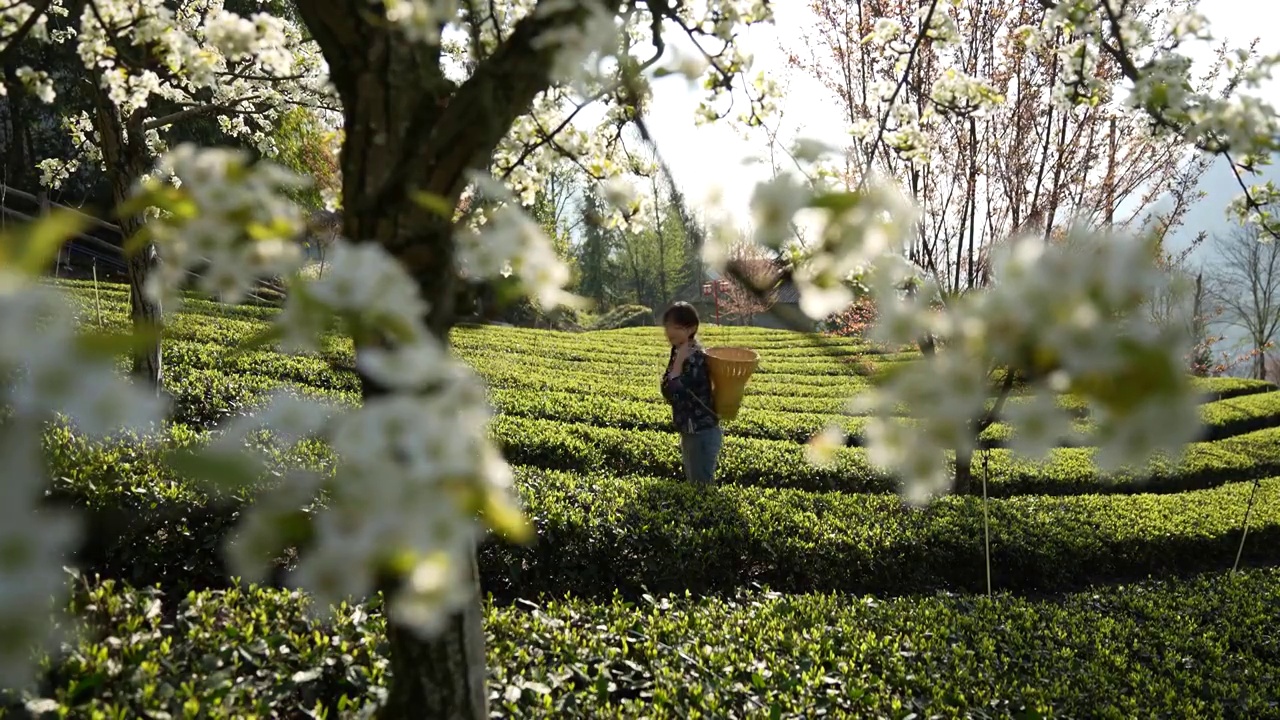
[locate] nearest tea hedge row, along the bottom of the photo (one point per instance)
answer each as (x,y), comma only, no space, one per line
(1190,650)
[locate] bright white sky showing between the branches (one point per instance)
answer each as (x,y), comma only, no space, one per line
(711,158)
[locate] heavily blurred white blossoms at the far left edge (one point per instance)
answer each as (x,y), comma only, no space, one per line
(49,373)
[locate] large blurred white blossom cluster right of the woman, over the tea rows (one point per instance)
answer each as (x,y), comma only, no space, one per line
(1060,318)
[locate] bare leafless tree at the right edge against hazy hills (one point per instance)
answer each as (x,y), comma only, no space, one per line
(1244,279)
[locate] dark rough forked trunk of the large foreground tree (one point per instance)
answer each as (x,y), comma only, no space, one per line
(410,129)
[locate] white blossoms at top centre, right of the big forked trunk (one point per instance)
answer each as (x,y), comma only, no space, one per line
(604,61)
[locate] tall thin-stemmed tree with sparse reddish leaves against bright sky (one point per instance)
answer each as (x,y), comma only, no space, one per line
(1002,153)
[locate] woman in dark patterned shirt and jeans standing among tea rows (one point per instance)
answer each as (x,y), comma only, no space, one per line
(688,388)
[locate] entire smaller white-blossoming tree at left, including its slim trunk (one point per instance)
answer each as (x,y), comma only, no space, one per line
(147,74)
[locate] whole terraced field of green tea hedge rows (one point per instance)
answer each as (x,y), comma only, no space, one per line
(789,591)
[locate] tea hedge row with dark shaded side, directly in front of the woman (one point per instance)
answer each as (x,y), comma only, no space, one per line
(600,534)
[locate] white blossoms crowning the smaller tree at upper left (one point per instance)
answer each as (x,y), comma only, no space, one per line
(244,71)
